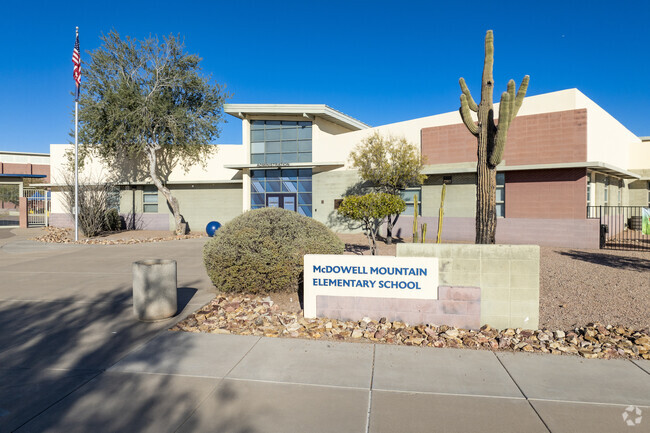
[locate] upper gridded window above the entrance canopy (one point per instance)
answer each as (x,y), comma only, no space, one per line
(275,141)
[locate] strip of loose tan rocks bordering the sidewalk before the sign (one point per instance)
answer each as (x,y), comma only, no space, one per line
(250,315)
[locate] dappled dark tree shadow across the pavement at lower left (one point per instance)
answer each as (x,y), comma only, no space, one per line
(53,357)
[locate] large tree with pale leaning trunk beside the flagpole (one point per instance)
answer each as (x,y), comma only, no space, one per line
(146,100)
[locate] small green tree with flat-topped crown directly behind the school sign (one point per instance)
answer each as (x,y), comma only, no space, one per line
(371,211)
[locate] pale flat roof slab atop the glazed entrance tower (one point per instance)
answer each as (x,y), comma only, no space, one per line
(306,110)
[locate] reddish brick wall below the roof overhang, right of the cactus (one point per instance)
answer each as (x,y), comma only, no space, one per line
(556,194)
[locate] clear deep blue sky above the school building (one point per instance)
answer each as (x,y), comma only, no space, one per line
(379,62)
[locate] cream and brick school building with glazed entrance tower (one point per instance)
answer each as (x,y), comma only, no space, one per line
(564,153)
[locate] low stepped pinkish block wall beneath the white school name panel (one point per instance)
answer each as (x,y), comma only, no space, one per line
(455,306)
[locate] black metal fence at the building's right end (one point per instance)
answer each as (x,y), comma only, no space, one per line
(621,227)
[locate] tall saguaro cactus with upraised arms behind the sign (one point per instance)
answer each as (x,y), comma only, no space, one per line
(491,138)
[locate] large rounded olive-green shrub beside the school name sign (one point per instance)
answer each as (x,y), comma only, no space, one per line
(262,250)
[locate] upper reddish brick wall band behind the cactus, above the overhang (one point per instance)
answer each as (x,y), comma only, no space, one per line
(536,139)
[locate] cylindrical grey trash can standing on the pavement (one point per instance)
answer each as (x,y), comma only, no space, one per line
(154,289)
